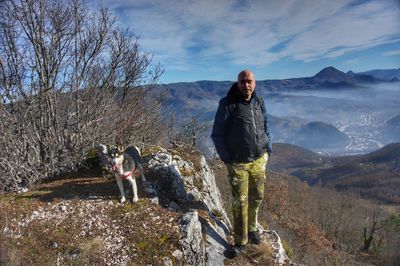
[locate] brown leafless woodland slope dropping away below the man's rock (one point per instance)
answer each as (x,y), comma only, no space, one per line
(322,226)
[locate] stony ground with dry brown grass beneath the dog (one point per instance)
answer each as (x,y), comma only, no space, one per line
(77,221)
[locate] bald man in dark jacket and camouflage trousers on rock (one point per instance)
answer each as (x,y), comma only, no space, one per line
(241,138)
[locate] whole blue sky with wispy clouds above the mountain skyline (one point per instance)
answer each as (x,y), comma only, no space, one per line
(277,39)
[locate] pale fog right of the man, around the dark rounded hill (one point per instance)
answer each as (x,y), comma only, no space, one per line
(361,113)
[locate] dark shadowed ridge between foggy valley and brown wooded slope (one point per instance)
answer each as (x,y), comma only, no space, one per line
(373,176)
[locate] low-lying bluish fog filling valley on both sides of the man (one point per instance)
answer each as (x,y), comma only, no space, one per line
(354,120)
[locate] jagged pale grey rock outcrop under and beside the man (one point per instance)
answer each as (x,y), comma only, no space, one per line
(205,225)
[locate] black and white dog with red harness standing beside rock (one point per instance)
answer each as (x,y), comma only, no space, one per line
(125,165)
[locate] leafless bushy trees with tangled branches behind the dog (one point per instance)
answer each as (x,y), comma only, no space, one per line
(66,76)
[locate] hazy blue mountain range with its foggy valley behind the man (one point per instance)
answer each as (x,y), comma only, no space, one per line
(331,112)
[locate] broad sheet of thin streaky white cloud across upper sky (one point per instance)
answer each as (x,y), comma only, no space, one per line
(186,33)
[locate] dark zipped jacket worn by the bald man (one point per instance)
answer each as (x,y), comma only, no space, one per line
(240,132)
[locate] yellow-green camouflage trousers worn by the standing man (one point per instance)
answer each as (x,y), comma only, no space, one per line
(247,182)
